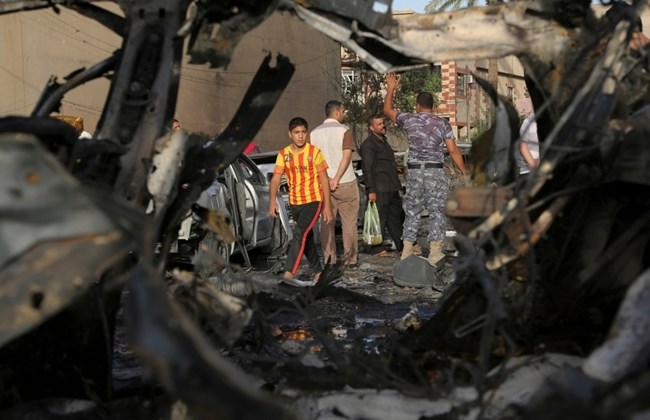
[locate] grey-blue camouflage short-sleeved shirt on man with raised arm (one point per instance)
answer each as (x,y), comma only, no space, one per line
(426,135)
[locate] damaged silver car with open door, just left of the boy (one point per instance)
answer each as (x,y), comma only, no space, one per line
(240,194)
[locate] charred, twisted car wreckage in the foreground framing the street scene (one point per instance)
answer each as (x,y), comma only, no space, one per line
(555,263)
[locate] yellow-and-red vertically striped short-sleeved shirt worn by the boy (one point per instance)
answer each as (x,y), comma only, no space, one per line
(302,169)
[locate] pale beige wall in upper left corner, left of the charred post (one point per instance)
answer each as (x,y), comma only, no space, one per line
(38,44)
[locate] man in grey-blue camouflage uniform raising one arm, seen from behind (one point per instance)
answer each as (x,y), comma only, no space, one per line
(426,182)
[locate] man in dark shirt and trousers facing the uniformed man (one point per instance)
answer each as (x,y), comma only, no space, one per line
(381,180)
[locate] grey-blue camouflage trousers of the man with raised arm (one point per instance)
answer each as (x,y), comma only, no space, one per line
(425,188)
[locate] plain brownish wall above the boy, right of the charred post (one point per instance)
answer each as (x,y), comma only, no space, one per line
(209,98)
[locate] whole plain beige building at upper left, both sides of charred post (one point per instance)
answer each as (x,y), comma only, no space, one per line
(38,44)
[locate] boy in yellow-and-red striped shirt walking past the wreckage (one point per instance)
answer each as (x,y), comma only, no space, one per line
(309,194)
